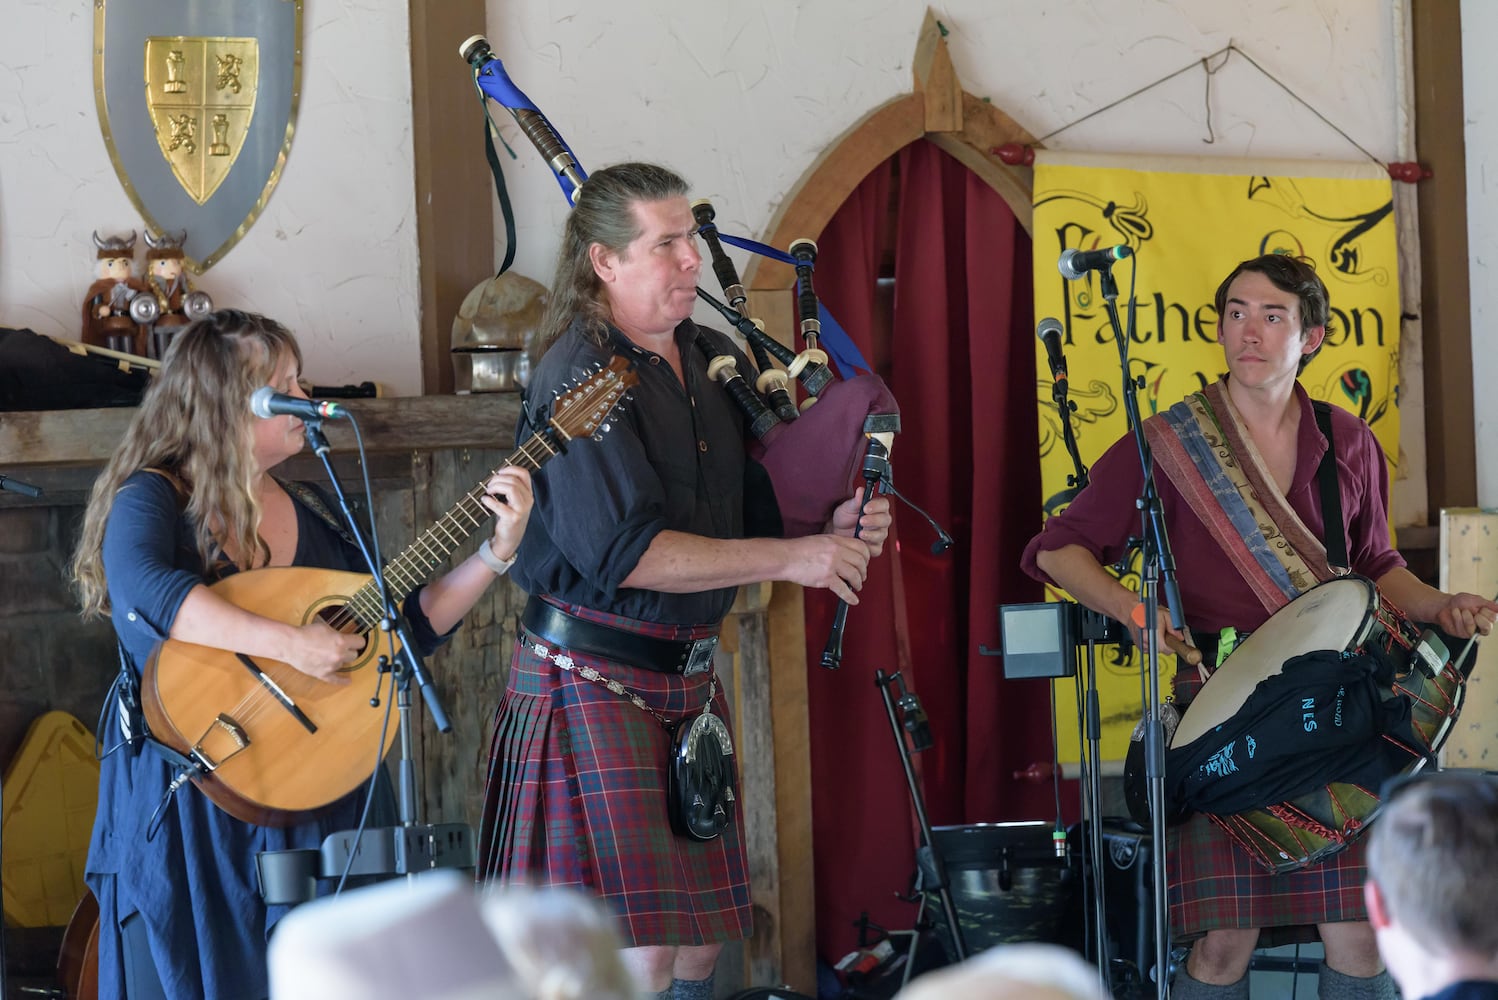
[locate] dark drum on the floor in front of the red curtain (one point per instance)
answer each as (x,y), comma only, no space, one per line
(1007,884)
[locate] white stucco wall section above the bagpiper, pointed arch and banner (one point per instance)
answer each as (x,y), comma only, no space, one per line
(744,98)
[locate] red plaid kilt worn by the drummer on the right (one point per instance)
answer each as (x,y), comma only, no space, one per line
(1216,884)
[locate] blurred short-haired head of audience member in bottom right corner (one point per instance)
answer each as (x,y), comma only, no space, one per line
(1433,879)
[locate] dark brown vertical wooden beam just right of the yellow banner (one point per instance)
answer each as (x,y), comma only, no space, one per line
(1445,288)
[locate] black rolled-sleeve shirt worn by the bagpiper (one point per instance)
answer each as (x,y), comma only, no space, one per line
(673,457)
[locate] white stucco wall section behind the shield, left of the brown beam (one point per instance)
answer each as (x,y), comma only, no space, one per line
(335,252)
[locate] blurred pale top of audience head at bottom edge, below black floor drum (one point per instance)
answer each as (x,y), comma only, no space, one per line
(1012,972)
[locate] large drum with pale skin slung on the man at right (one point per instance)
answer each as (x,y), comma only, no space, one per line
(1347,616)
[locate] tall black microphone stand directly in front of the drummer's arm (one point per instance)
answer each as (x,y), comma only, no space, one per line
(1159,571)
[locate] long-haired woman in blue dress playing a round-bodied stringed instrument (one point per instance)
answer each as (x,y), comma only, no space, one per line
(187,501)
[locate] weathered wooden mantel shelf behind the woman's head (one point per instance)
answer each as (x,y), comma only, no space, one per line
(425,423)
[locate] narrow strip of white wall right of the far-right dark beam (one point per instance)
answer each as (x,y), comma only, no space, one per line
(1481,101)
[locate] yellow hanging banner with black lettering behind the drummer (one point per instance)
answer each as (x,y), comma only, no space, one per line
(1189,225)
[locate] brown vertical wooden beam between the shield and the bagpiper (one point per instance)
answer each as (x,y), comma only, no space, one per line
(455,218)
